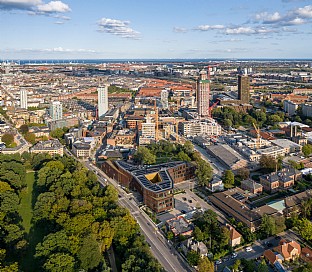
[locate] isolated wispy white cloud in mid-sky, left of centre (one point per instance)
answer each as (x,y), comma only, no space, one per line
(117,27)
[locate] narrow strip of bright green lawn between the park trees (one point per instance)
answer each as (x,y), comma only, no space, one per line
(25,208)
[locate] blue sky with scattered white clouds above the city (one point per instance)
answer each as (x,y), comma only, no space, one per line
(149,29)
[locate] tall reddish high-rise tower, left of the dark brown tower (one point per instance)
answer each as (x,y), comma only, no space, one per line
(203,95)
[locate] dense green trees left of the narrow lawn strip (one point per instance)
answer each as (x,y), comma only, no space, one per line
(12,235)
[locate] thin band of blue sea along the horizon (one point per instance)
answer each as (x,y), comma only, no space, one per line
(99,61)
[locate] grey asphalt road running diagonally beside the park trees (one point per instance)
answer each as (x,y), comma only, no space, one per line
(161,249)
